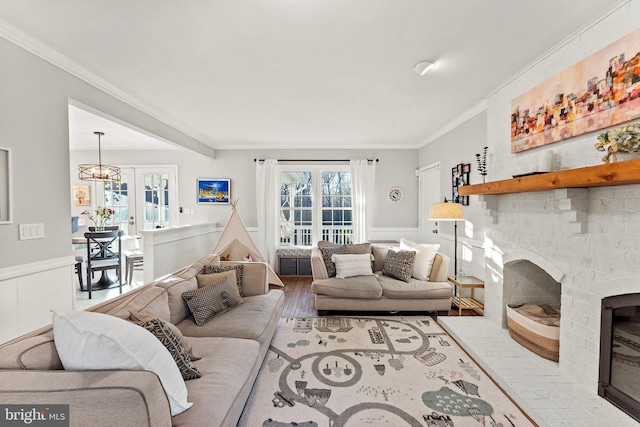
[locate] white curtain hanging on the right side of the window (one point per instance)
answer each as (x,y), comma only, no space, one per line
(363,178)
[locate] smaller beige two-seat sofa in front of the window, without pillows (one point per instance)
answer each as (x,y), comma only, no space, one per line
(380,292)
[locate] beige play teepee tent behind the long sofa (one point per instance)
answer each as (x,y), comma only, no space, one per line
(235,244)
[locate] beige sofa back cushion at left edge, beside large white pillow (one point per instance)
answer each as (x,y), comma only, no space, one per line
(38,352)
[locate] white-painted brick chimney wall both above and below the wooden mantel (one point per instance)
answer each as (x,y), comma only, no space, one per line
(586,240)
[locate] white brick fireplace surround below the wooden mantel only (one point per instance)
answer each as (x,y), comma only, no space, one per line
(587,241)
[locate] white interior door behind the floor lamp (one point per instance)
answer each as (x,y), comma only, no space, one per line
(429,186)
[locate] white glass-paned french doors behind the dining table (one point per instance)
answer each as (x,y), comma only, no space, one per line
(145,198)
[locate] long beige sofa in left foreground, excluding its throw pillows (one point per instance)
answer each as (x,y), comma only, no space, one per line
(231,346)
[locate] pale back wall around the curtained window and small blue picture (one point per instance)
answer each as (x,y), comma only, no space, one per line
(395,168)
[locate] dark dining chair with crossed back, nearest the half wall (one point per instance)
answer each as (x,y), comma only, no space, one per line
(103,253)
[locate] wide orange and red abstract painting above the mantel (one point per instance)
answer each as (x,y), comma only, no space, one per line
(600,91)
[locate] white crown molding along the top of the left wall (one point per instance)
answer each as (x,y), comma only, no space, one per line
(47,53)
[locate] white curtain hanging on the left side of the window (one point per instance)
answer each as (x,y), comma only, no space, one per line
(266,196)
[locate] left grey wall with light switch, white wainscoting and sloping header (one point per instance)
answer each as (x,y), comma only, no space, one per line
(37,275)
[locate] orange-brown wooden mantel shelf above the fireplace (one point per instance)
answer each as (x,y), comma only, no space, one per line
(608,174)
